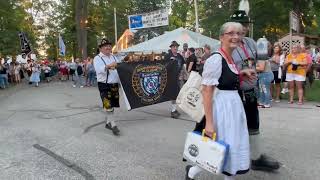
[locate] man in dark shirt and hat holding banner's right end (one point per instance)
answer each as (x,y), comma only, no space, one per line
(174,55)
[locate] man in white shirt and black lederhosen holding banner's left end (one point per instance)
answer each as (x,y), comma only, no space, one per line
(105,64)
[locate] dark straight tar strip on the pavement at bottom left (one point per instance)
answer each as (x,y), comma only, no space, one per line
(65,162)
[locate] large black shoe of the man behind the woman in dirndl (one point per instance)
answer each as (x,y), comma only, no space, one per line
(265,163)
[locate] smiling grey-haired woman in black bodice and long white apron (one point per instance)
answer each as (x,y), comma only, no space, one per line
(225,115)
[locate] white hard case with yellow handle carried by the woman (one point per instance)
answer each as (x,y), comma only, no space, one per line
(205,153)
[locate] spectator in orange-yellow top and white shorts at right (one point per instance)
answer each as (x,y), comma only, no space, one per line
(296,64)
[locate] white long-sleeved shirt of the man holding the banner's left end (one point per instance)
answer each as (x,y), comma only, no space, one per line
(101,71)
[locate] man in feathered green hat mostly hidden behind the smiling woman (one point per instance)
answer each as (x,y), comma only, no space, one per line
(245,56)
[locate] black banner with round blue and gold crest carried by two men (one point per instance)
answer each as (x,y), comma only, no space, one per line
(149,82)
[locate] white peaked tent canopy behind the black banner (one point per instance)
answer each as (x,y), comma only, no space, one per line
(161,43)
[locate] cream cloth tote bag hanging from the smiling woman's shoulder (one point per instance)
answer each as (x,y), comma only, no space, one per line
(190,97)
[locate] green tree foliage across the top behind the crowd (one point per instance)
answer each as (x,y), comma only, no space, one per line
(271,18)
